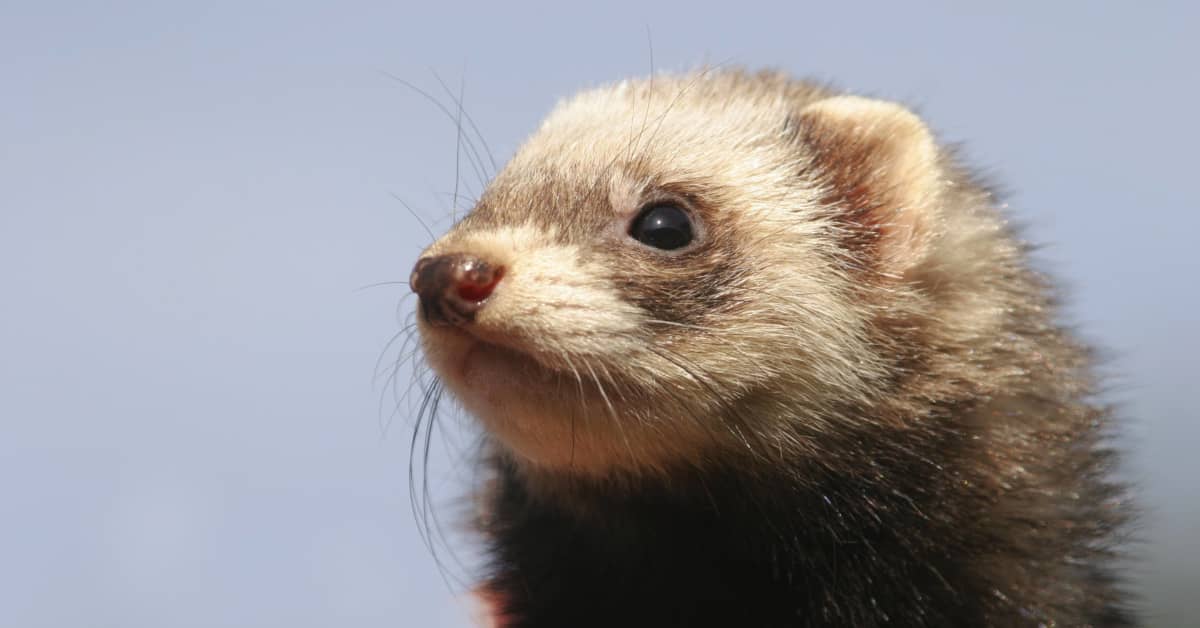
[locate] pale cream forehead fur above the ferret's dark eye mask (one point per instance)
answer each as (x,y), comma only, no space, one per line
(669,128)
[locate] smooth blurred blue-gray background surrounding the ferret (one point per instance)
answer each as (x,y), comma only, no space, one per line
(193,194)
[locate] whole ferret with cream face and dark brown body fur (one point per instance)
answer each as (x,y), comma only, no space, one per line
(752,352)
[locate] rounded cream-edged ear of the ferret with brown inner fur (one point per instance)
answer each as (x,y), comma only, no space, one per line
(877,168)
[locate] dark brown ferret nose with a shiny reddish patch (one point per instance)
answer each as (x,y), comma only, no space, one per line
(453,288)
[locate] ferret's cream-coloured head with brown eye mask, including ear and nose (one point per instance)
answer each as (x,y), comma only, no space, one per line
(683,271)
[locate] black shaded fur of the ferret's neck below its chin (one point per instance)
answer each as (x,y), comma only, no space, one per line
(719,548)
